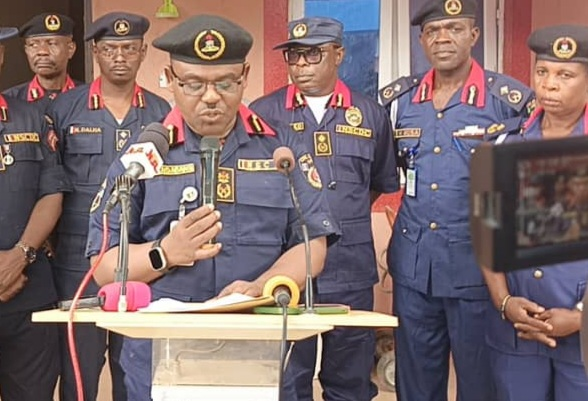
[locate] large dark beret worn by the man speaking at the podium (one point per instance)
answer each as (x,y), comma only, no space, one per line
(206,39)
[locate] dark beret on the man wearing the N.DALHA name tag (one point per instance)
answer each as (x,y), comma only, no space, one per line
(118,26)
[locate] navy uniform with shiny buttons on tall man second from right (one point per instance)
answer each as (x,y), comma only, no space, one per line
(440,296)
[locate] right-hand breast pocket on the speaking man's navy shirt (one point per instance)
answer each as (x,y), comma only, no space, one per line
(263,202)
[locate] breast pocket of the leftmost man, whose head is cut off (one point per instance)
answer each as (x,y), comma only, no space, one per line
(25,171)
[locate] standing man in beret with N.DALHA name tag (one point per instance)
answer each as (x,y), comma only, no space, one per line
(92,125)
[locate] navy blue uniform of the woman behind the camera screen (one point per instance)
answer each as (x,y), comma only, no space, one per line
(529,370)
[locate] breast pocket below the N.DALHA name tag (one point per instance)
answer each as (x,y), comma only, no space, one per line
(84,159)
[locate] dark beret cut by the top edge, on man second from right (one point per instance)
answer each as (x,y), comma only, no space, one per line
(435,10)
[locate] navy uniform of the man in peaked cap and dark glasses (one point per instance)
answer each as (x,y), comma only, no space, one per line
(353,149)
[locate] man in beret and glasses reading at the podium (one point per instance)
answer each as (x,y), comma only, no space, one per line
(256,227)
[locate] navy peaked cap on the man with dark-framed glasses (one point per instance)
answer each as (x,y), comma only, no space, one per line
(313,31)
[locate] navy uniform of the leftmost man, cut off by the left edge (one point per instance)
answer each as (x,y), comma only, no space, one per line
(29,353)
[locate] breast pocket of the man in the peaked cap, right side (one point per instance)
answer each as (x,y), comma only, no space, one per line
(353,159)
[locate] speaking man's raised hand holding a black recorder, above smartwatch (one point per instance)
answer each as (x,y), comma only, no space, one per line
(188,241)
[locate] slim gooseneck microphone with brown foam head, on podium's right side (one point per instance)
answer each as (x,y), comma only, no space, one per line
(284,162)
